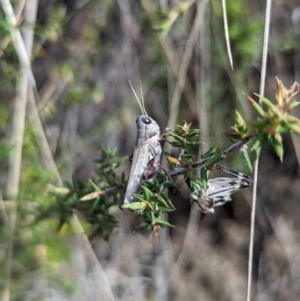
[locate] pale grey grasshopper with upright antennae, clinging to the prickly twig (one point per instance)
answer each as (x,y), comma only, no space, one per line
(147,152)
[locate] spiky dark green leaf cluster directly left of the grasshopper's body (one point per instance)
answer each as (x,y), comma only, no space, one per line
(97,200)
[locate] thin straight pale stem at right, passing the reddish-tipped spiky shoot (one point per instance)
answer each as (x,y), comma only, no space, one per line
(254,196)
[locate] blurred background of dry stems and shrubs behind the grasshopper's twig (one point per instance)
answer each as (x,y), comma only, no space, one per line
(83,53)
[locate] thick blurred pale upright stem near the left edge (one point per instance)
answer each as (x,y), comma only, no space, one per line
(18,125)
